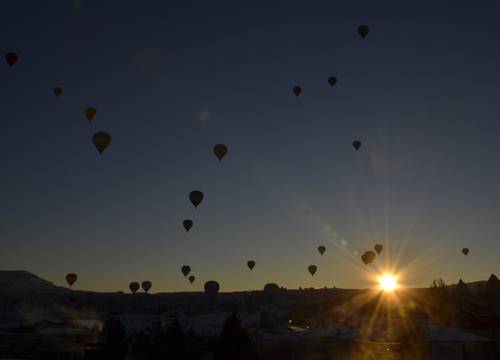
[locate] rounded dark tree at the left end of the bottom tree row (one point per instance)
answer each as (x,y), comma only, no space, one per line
(114,340)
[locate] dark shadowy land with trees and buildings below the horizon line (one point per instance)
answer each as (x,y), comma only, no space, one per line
(39,320)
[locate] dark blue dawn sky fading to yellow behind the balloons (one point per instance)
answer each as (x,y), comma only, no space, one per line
(172,79)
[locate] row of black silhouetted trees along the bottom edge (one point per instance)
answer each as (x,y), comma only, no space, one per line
(171,341)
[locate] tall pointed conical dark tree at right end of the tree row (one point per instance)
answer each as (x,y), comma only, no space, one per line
(234,342)
